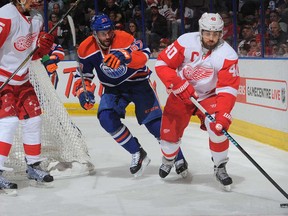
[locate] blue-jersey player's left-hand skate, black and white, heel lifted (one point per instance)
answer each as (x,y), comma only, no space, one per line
(139,162)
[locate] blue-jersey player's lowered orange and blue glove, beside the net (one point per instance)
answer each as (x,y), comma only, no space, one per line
(86,99)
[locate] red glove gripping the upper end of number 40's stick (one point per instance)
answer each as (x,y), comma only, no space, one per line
(184,91)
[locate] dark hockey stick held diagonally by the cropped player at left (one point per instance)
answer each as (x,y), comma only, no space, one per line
(37,47)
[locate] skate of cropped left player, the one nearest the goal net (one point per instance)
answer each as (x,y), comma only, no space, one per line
(35,172)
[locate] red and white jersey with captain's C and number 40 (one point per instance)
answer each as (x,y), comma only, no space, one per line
(211,73)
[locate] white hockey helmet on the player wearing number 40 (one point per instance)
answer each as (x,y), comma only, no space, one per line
(211,22)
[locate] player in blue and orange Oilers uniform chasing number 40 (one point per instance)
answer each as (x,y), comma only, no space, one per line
(120,63)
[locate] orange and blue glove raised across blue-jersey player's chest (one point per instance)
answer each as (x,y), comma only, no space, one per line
(117,58)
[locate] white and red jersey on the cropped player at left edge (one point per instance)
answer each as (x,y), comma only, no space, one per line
(18,36)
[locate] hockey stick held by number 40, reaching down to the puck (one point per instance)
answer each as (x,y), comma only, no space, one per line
(198,105)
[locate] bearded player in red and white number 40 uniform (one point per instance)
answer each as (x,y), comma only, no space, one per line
(203,66)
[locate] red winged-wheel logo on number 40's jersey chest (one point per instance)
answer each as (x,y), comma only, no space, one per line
(196,73)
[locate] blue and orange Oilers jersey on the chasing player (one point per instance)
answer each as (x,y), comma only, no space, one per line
(91,57)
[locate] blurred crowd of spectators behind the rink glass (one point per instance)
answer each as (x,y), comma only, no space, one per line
(249,30)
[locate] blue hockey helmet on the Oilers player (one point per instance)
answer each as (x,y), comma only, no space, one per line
(101,23)
